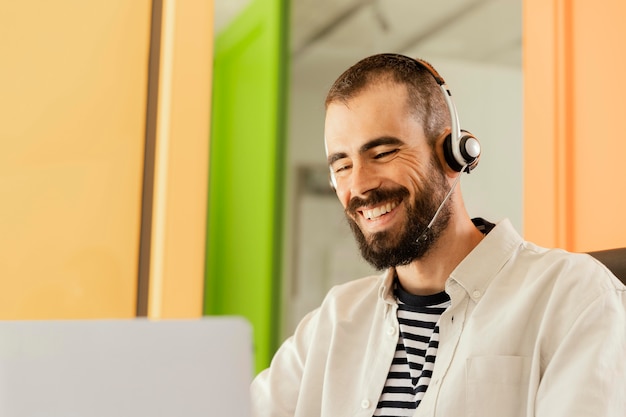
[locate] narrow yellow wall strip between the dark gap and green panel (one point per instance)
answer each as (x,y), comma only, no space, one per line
(182,161)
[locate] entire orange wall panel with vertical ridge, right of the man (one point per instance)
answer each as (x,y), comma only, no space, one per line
(574,89)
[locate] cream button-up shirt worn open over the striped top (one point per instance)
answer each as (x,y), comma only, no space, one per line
(530,332)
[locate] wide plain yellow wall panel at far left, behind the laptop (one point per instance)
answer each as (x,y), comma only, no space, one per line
(73,85)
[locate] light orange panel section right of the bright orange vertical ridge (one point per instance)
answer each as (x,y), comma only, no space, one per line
(598,108)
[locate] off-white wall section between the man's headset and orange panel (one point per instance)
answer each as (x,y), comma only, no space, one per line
(489,103)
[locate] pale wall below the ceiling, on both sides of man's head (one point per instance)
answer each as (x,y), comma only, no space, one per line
(320,250)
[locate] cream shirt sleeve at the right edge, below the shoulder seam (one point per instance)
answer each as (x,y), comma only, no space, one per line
(586,376)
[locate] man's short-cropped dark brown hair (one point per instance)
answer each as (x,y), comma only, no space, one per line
(425,95)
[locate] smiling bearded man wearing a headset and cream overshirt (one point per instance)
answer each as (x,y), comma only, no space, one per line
(468,319)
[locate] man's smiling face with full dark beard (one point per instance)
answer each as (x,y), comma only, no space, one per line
(386,175)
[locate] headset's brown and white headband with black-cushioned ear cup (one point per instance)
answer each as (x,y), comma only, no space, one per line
(460,148)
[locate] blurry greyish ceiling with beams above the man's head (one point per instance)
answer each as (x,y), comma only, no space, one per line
(343,31)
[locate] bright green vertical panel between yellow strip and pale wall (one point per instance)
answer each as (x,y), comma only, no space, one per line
(246,173)
